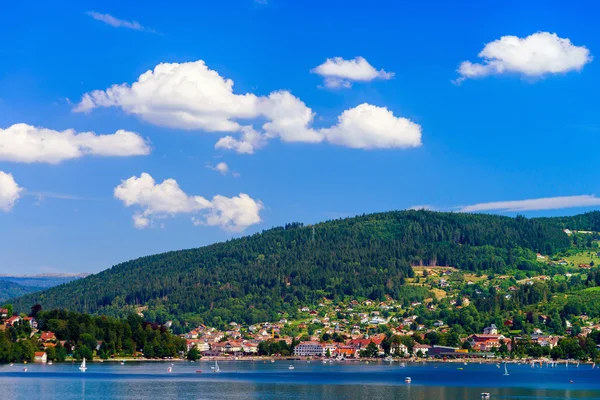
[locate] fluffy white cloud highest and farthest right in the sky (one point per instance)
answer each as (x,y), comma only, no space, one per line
(537,55)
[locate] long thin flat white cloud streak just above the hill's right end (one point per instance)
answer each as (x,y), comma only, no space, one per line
(548,203)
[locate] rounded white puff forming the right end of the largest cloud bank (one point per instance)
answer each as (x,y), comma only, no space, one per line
(370,127)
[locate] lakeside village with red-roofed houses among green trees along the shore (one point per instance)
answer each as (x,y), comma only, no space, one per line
(466,316)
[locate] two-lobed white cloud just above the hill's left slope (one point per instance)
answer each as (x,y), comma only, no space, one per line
(160,200)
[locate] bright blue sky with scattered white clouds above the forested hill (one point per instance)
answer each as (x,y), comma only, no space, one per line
(521,125)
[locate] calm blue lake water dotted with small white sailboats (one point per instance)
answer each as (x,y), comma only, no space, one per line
(258,380)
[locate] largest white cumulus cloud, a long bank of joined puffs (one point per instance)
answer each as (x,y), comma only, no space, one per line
(192,96)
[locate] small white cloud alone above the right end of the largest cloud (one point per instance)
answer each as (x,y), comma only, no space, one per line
(340,73)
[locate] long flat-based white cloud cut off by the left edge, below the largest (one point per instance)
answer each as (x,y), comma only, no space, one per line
(29,144)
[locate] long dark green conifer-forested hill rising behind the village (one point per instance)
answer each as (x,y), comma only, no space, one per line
(251,278)
